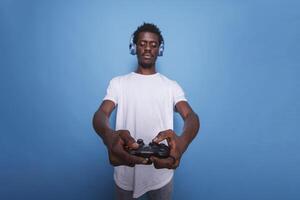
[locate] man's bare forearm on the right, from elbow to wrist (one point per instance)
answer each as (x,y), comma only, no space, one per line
(190,129)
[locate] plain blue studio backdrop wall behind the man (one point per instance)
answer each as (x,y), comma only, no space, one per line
(238,62)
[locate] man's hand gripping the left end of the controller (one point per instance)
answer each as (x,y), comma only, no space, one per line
(116,144)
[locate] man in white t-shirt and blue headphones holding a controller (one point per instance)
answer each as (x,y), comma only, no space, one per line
(145,101)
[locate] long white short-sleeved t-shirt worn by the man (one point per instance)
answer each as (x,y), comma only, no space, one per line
(145,106)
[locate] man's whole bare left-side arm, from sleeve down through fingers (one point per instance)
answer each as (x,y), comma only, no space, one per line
(115,140)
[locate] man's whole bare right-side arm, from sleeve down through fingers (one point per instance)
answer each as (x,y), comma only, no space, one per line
(178,144)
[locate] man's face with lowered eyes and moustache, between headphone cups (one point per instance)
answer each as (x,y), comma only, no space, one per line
(147,49)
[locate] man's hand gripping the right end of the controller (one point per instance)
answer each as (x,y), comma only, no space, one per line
(177,147)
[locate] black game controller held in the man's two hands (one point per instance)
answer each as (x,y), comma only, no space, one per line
(153,149)
